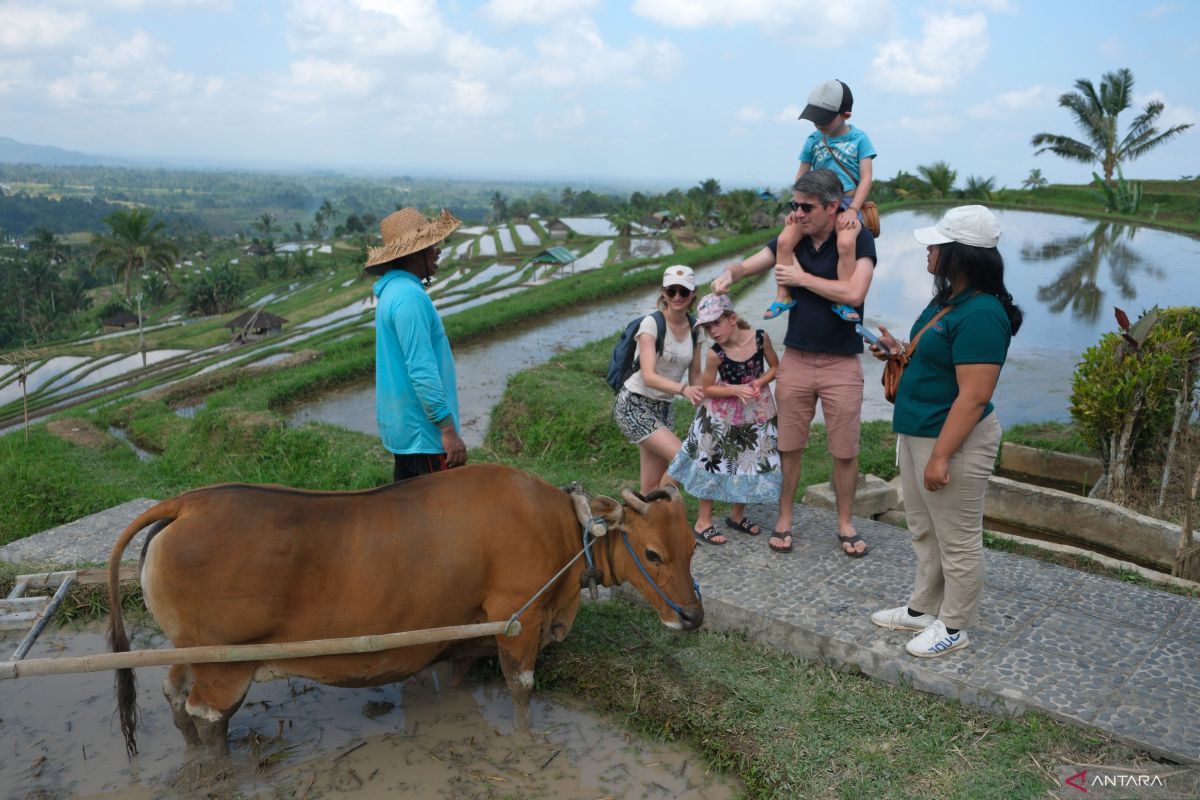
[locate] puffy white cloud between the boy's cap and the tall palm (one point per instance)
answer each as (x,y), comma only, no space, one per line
(952,47)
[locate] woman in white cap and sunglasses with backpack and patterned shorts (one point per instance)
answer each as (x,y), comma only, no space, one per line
(645,405)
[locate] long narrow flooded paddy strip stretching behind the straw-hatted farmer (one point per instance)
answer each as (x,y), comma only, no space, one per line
(484,368)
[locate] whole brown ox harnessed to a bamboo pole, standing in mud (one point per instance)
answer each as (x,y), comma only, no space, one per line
(241,564)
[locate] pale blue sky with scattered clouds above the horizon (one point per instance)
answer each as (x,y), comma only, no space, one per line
(647,93)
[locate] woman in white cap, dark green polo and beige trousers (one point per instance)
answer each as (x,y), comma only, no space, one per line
(946,425)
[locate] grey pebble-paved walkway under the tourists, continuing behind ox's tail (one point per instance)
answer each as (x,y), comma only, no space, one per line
(1087,651)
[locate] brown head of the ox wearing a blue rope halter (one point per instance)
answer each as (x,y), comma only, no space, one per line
(651,546)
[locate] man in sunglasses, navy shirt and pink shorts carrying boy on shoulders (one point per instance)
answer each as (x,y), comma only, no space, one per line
(823,354)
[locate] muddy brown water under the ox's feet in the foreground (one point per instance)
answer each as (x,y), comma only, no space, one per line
(59,738)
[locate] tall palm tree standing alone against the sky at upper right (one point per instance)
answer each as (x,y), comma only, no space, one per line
(1096,115)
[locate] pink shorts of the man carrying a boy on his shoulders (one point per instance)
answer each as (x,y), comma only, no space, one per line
(837,381)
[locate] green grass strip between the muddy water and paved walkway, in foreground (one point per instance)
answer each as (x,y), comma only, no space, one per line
(793,729)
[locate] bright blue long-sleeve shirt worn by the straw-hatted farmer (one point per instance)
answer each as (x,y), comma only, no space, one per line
(415,369)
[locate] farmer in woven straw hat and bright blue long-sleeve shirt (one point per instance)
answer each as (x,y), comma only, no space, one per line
(417,402)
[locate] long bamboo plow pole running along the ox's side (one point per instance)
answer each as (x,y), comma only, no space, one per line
(274,651)
